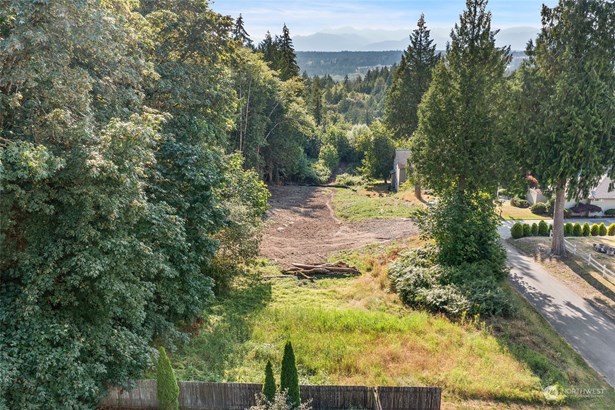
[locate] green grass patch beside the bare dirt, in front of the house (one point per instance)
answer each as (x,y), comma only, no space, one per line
(370,203)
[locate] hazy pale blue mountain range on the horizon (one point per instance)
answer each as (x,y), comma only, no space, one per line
(351,39)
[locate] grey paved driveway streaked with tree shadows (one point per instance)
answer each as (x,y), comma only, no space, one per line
(586,329)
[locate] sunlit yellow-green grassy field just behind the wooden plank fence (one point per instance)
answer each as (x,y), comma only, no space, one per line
(353,331)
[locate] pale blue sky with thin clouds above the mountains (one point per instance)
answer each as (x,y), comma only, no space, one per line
(306,17)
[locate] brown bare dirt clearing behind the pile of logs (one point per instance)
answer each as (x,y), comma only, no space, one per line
(302,227)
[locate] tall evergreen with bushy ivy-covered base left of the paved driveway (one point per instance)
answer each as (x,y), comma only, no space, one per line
(457,150)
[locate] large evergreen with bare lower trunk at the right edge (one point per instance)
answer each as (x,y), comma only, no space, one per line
(566,109)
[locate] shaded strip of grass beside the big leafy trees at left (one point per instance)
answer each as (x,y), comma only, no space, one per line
(220,343)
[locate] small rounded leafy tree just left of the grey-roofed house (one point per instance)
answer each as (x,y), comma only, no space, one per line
(379,151)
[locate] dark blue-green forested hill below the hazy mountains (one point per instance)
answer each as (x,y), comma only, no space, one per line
(338,64)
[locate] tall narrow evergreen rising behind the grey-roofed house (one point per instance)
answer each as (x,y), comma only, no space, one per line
(410,81)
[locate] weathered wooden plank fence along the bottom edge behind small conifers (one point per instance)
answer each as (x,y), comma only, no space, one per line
(236,396)
